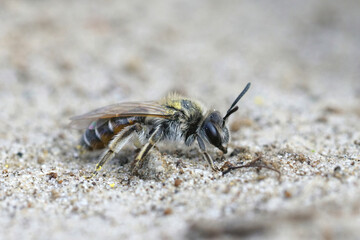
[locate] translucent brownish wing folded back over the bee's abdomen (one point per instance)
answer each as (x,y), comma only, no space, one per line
(125,109)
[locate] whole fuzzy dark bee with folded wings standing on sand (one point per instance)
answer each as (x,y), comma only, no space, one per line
(175,118)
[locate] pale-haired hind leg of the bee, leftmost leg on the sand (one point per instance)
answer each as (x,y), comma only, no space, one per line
(116,145)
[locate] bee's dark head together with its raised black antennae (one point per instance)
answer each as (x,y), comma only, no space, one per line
(214,128)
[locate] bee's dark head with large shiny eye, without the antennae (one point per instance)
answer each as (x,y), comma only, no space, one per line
(215,131)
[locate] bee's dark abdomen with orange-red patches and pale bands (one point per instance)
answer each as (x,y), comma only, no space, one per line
(100,132)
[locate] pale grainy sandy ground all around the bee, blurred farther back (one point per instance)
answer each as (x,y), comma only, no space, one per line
(300,117)
